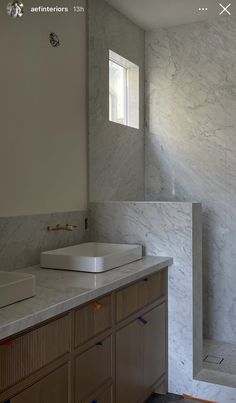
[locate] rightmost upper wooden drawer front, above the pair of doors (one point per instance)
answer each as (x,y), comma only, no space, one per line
(136,296)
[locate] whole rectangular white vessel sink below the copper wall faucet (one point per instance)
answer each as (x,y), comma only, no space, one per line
(91,257)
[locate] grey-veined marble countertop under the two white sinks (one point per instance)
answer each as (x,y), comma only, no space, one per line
(59,291)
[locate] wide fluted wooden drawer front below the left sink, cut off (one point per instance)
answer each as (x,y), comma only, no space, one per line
(31,351)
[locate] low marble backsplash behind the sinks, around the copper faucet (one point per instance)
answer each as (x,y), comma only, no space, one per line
(22,238)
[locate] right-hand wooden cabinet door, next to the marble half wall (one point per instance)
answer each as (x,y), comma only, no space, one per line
(154,345)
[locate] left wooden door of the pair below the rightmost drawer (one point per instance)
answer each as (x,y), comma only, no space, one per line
(129,363)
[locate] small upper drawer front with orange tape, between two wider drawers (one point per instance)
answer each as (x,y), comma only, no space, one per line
(92,319)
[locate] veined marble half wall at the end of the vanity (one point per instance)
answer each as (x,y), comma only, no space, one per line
(165,229)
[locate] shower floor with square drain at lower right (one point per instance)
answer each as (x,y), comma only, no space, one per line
(219,356)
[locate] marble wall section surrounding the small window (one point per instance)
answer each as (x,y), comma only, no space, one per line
(116,152)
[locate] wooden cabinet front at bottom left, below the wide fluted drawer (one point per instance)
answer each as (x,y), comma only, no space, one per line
(51,389)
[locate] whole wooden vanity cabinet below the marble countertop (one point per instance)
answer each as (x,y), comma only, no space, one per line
(111,350)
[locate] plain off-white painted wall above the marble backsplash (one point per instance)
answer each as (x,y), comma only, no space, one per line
(43,112)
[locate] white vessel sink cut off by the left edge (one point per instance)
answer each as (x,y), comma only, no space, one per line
(15,287)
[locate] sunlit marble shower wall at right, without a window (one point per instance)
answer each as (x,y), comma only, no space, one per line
(191,147)
